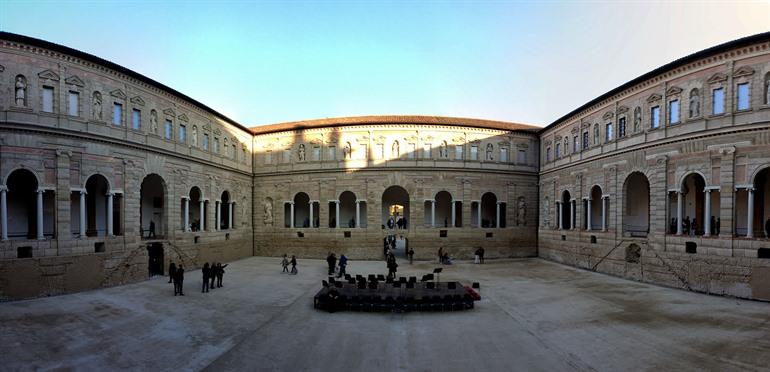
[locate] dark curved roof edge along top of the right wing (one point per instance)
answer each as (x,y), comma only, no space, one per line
(737,43)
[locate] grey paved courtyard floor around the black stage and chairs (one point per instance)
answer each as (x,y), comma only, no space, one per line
(534,316)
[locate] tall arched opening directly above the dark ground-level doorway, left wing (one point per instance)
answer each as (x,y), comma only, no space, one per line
(152,208)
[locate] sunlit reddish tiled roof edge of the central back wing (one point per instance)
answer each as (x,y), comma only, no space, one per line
(347,121)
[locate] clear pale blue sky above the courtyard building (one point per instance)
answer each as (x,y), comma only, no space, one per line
(264,62)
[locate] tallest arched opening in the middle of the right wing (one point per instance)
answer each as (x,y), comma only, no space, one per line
(636,211)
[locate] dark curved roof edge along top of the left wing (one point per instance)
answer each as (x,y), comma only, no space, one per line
(114,66)
